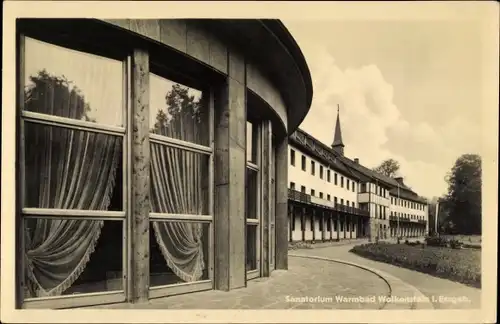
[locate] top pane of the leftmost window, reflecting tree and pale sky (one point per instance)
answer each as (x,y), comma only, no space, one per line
(67,83)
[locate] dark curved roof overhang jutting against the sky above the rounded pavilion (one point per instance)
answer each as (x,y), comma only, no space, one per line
(271,47)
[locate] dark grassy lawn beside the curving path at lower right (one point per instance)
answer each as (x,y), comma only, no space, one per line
(461,265)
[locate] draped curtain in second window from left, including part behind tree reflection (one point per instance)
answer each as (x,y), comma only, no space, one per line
(177,187)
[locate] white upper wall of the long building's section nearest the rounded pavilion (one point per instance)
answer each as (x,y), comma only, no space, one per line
(305,178)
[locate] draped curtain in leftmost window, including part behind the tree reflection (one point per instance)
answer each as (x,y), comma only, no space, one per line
(65,169)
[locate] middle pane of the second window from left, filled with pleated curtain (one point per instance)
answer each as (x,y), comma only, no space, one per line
(179,181)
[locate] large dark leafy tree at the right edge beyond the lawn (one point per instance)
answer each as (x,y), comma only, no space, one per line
(463,201)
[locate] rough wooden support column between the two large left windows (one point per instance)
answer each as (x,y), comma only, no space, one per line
(138,279)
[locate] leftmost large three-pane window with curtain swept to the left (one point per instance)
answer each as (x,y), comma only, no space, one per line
(67,167)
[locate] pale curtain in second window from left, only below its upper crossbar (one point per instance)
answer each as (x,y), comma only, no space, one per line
(177,189)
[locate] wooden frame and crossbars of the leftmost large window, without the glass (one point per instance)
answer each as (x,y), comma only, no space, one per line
(23,117)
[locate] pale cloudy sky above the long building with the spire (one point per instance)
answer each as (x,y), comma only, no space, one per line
(408,90)
